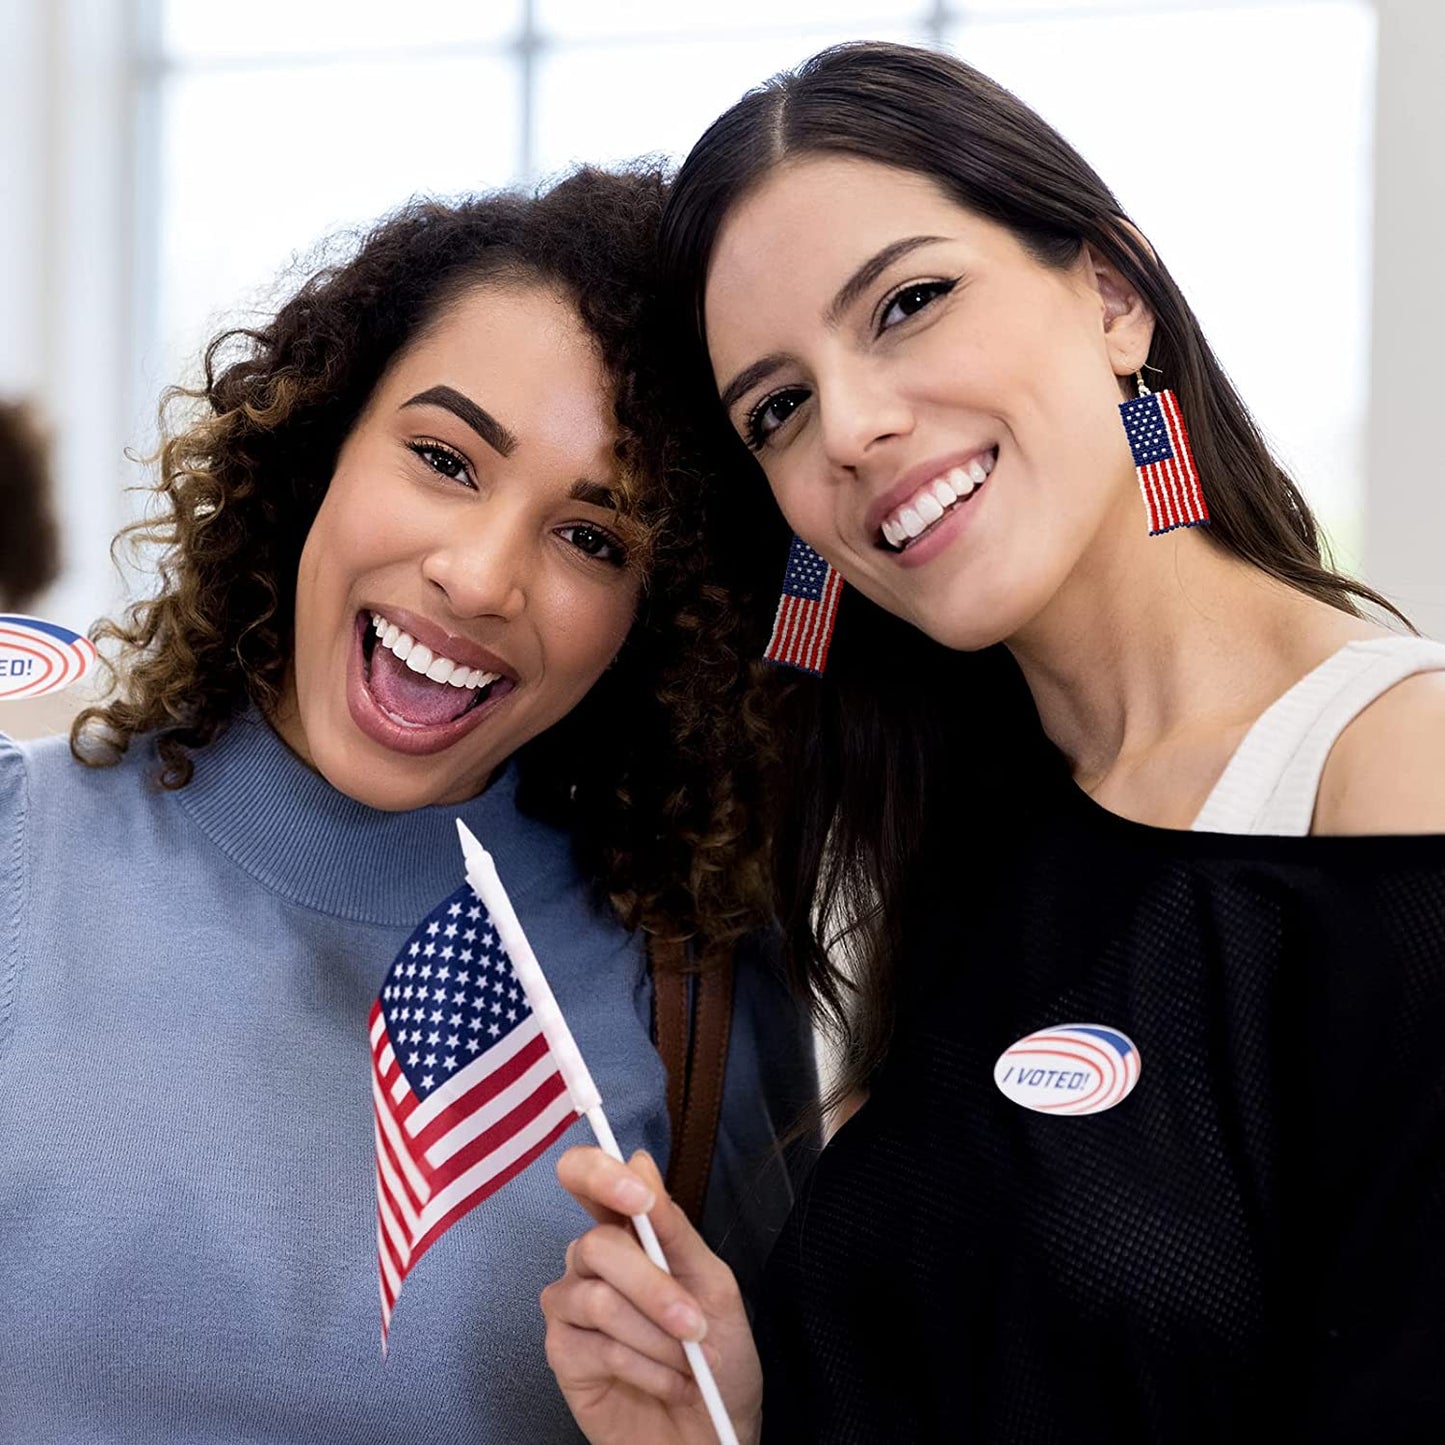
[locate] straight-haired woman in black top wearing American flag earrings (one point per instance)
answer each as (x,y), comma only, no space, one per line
(1110,837)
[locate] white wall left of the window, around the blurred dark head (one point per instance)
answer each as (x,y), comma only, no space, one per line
(66,259)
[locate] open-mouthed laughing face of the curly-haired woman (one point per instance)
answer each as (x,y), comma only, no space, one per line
(466,582)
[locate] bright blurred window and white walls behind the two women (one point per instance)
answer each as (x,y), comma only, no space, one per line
(173,165)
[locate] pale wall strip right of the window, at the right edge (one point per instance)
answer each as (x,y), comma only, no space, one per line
(1405,508)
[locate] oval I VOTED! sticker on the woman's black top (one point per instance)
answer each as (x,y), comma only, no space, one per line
(1077,1069)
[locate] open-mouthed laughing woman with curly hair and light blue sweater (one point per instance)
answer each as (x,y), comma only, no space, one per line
(426,553)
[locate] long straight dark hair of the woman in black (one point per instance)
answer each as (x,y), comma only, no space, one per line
(866,745)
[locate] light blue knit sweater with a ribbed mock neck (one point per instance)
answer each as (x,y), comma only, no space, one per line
(187,1189)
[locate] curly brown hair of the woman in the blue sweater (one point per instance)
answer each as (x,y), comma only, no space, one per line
(657,774)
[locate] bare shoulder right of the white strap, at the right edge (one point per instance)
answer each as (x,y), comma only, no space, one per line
(1386,774)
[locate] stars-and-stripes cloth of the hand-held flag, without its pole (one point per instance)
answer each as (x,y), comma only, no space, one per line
(466,1087)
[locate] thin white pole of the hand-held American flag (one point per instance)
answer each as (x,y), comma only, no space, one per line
(482,875)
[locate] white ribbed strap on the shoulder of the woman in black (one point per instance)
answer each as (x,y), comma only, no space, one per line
(1274,777)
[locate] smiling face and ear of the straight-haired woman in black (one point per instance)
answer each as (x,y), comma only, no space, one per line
(934,408)
